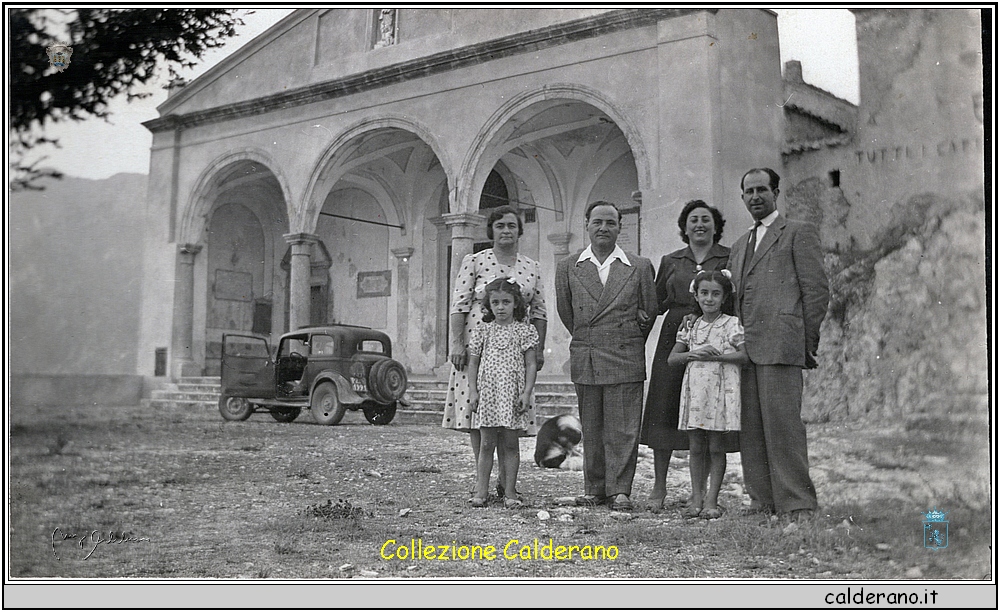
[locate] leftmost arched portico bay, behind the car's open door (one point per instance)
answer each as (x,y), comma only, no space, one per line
(228,273)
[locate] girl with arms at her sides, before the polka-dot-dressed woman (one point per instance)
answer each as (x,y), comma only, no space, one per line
(502,370)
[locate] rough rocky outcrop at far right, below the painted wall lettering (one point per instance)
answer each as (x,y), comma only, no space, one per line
(906,333)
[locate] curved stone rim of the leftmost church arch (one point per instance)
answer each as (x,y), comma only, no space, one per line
(200,204)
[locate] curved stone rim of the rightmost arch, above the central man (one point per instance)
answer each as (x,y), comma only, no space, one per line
(472,173)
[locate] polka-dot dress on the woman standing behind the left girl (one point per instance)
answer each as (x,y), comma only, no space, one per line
(478,270)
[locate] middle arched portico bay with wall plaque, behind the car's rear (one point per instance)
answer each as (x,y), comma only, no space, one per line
(366,202)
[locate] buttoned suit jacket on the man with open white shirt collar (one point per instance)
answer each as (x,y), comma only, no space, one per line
(609,333)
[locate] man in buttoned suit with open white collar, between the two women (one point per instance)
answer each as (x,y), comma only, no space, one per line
(606,298)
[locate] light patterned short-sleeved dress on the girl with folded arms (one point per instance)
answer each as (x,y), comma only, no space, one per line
(710,393)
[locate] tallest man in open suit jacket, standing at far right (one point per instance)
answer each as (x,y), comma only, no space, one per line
(781,298)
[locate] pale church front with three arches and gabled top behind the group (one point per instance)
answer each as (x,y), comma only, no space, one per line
(339,166)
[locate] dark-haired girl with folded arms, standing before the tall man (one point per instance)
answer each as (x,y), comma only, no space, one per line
(712,348)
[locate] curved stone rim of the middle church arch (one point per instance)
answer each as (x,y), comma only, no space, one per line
(326,172)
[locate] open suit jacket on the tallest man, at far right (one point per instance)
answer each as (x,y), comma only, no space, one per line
(782,297)
